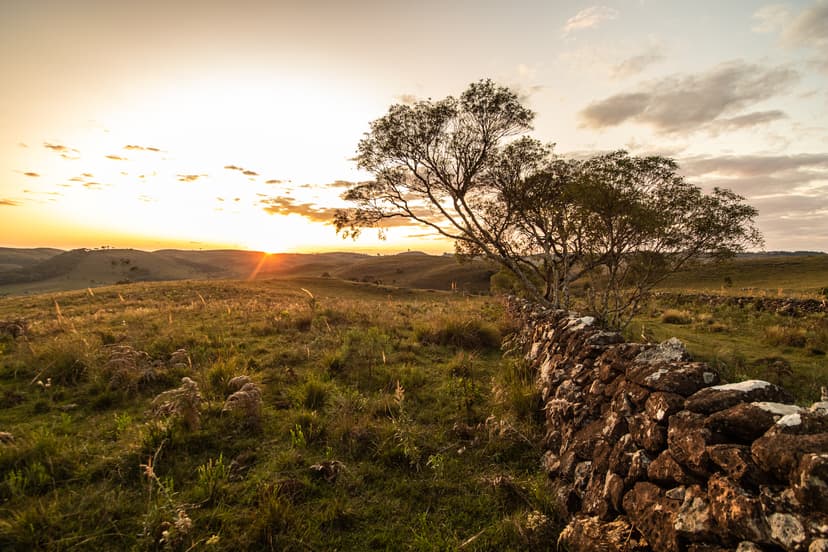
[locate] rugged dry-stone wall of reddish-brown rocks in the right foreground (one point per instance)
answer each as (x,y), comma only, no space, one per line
(649,451)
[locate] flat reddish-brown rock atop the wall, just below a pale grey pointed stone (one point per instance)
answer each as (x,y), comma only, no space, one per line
(683,378)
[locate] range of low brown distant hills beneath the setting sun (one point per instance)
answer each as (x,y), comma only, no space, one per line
(42,270)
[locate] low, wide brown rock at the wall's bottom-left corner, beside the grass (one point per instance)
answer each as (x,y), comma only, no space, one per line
(589,534)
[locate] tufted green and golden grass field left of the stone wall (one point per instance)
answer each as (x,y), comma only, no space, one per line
(386,419)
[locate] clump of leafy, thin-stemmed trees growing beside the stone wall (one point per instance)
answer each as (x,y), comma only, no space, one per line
(619,223)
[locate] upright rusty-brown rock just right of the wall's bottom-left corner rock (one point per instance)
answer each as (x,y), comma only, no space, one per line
(653,514)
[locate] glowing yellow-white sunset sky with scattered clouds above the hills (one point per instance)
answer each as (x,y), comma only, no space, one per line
(206,124)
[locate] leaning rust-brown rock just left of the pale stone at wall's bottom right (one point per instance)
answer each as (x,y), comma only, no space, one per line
(737,513)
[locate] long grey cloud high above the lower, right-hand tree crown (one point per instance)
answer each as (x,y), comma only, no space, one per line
(687,103)
